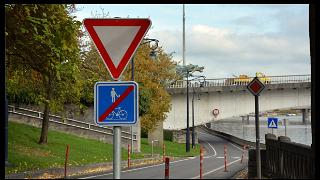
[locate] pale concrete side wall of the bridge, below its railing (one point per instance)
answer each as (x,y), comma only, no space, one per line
(233,102)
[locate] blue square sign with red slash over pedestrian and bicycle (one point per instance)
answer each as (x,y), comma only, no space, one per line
(116,103)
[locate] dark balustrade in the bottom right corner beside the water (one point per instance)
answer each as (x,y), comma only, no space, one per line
(286,159)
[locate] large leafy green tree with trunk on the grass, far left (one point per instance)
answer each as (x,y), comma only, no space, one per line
(42,46)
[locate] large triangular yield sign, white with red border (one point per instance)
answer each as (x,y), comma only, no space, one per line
(117,40)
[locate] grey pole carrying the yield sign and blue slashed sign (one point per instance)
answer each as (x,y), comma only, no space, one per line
(116,103)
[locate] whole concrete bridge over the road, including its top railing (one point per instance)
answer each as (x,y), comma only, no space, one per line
(229,100)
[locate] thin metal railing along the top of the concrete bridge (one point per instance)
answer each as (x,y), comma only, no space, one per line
(229,82)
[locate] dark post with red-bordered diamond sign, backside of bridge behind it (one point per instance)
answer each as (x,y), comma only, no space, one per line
(255,87)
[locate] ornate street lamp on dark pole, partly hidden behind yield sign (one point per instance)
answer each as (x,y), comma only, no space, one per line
(153,56)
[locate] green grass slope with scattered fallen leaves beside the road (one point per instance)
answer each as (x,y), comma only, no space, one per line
(26,154)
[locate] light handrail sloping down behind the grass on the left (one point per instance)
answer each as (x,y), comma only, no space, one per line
(63,121)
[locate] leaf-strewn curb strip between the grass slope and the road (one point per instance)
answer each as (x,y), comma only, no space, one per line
(55,173)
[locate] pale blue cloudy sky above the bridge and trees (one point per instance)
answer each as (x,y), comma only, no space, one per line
(225,39)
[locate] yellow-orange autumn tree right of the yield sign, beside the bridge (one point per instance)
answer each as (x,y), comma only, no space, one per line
(153,77)
